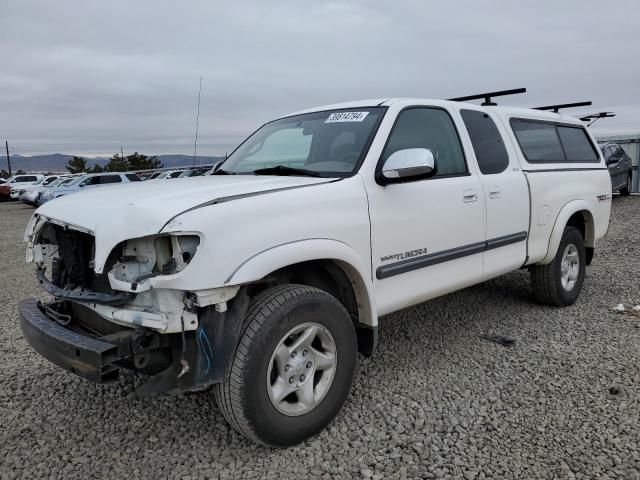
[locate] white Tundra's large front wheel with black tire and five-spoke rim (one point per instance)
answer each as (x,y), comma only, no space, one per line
(245,397)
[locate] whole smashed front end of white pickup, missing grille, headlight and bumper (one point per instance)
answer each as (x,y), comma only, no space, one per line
(123,315)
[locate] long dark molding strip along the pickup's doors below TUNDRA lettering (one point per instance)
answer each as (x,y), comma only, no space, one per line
(404,266)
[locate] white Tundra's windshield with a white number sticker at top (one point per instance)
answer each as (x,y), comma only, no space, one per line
(327,144)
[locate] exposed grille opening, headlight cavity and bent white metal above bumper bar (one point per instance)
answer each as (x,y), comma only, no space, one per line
(126,292)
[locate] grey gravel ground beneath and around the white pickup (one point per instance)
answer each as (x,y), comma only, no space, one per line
(436,401)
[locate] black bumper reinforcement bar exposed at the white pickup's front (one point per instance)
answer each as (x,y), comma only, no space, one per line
(87,357)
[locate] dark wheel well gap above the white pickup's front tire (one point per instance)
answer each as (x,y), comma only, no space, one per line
(336,279)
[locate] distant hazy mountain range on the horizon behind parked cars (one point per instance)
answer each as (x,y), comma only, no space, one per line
(56,162)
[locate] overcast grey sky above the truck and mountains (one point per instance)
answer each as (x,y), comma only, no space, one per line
(88,77)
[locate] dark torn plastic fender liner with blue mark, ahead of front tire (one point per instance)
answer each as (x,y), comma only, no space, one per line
(208,352)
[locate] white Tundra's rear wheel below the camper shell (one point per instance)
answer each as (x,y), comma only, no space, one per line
(547,280)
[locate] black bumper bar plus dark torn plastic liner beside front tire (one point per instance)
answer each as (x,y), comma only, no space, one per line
(208,351)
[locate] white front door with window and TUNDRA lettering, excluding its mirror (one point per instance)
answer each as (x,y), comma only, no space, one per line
(427,235)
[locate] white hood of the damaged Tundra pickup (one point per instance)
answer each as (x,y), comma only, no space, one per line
(137,209)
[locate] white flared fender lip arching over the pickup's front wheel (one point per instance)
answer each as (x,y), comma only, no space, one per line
(271,259)
